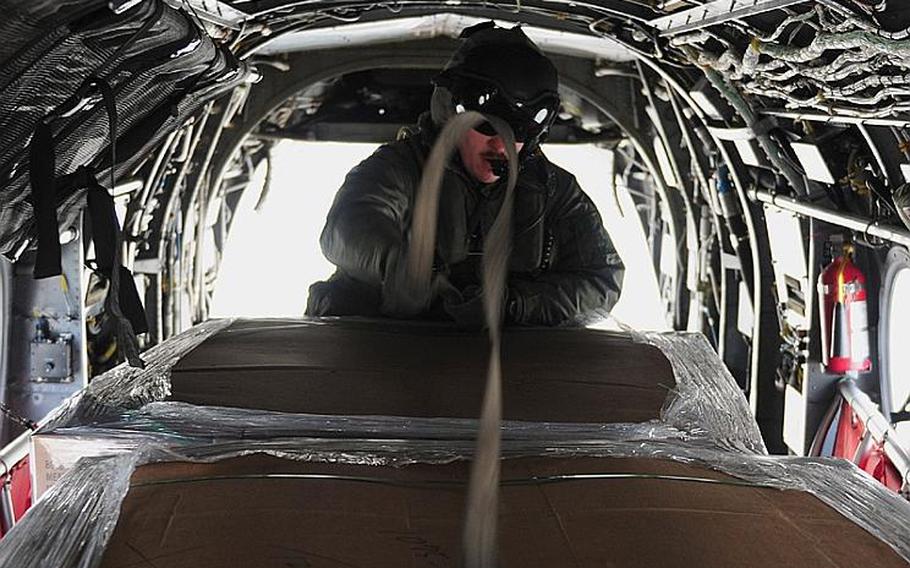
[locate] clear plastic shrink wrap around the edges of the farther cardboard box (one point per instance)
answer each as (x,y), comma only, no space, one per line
(706,402)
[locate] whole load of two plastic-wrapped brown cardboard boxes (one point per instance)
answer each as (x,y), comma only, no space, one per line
(348,443)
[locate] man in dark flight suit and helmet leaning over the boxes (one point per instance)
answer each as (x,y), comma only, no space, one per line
(563,268)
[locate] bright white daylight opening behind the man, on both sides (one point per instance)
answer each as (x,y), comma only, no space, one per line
(273,254)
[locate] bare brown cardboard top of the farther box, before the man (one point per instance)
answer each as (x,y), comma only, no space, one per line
(427,370)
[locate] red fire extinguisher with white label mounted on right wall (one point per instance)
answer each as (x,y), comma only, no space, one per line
(844,316)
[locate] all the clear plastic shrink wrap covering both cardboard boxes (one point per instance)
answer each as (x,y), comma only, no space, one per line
(705,421)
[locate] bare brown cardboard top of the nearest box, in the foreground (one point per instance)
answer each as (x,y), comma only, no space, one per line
(229,514)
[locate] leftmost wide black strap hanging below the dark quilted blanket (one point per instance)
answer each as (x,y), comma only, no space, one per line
(42,162)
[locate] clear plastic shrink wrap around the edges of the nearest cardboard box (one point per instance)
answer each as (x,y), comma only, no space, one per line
(71,526)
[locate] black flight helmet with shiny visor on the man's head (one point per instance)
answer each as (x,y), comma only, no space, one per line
(500,72)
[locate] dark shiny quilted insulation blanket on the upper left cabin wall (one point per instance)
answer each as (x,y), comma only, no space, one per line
(159,64)
